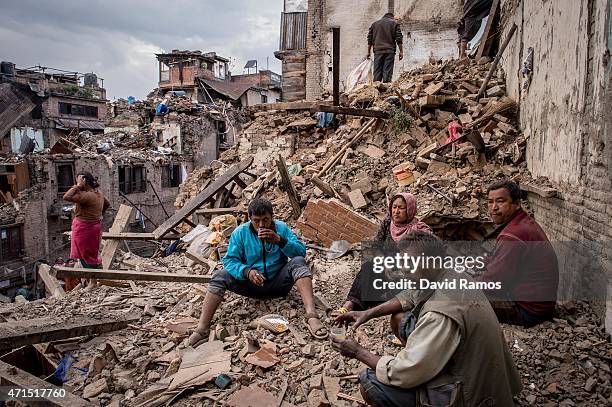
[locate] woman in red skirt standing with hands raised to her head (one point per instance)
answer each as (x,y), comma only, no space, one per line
(87,222)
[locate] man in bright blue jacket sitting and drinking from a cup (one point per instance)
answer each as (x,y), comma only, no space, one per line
(257,266)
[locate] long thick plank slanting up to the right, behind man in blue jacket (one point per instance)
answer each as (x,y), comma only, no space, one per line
(208,193)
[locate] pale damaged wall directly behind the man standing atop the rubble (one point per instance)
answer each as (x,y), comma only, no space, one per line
(429,28)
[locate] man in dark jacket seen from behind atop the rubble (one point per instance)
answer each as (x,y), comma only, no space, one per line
(383,36)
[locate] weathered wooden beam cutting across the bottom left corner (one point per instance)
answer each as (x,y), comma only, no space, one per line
(11,376)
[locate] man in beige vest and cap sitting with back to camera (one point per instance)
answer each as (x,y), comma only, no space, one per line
(455,352)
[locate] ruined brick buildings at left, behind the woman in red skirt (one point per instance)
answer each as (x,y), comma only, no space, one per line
(55,125)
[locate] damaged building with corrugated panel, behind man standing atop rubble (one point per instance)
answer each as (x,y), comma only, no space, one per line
(306,40)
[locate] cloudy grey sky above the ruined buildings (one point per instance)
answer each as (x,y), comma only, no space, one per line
(117,39)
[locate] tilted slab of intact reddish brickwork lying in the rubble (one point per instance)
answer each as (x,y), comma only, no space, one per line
(324,221)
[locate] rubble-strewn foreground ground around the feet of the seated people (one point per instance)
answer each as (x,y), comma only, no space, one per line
(563,362)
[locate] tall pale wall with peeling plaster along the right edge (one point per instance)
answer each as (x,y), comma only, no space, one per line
(565,110)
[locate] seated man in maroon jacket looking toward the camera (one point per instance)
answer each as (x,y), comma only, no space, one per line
(523,261)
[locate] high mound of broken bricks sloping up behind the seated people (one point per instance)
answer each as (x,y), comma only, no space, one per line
(449,180)
